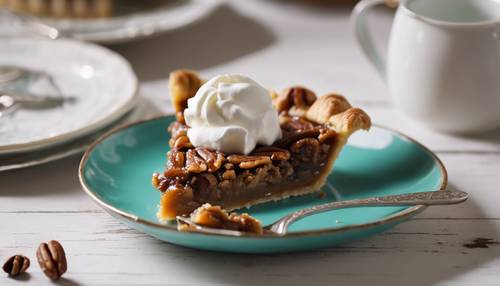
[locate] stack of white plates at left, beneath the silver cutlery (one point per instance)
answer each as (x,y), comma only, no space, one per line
(99,84)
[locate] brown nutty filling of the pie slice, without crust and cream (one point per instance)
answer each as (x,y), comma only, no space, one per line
(197,175)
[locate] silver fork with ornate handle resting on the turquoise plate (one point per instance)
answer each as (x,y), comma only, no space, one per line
(280,227)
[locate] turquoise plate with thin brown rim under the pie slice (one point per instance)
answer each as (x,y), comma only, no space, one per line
(116,172)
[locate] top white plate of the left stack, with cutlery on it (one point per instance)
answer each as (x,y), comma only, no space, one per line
(102,83)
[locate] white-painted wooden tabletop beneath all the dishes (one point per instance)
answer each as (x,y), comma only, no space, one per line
(278,44)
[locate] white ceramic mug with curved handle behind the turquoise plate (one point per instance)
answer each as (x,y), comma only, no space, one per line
(443,63)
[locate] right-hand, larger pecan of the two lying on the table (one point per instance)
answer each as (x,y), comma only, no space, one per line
(52,259)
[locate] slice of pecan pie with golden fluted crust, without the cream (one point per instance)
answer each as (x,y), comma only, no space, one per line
(314,130)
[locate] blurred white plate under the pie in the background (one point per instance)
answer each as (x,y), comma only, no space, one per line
(127,27)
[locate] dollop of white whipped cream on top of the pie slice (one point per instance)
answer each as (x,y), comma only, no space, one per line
(232,113)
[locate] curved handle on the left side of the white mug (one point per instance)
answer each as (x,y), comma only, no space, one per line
(363,35)
